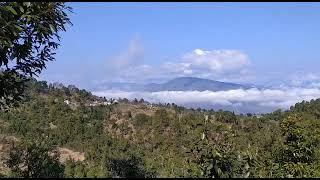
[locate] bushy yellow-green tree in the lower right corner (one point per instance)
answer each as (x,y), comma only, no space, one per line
(298,151)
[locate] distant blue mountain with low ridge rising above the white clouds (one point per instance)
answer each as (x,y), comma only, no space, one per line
(177,84)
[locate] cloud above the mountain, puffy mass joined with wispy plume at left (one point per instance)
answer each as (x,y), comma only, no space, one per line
(215,64)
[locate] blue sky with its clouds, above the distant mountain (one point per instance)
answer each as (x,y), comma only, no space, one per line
(141,42)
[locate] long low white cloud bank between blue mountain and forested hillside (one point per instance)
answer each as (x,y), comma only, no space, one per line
(239,100)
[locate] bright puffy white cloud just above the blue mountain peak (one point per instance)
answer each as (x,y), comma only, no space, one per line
(213,64)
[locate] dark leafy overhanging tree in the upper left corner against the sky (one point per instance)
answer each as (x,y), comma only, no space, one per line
(28,38)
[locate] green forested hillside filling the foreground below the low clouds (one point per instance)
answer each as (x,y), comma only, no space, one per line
(60,131)
